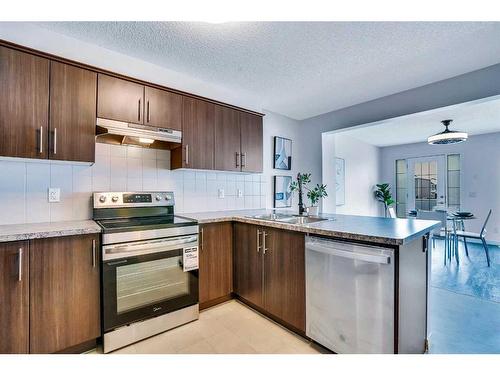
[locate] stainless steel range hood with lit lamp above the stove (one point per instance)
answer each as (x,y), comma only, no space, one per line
(123,133)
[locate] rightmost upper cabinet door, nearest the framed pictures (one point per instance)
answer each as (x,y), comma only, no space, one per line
(251,142)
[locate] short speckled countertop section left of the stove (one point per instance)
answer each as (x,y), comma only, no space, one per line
(18,232)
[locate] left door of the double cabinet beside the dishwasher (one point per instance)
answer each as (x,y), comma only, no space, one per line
(247,263)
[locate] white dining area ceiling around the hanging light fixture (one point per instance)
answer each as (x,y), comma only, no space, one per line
(478,117)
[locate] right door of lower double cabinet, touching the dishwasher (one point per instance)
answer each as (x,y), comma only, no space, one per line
(284,276)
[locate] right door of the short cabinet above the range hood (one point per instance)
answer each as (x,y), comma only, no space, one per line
(163,109)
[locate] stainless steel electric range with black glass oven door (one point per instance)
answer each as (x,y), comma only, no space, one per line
(149,266)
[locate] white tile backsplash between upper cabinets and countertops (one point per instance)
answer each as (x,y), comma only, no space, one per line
(24,185)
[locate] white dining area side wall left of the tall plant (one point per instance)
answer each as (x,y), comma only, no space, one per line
(362,172)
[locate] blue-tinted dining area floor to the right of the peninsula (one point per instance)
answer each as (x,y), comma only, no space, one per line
(465,301)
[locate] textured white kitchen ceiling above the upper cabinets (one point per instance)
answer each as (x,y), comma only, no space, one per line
(302,69)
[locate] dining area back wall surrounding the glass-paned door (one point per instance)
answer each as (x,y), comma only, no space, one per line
(480,157)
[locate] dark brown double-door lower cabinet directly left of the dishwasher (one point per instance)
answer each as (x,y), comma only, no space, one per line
(269,271)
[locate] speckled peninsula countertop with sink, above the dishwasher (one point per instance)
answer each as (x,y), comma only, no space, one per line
(363,228)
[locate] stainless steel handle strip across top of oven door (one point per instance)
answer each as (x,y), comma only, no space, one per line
(147,247)
